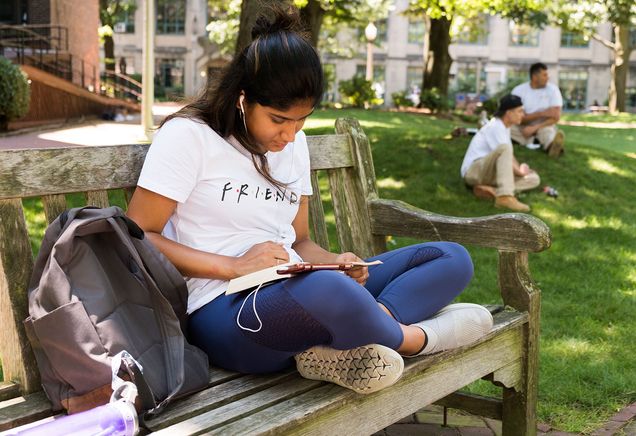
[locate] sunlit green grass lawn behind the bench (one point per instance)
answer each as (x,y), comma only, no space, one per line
(588,276)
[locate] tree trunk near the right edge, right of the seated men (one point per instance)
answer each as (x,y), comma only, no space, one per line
(618,84)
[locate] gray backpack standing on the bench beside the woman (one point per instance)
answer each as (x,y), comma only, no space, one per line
(98,288)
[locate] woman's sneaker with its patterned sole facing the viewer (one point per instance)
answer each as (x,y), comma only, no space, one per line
(363,369)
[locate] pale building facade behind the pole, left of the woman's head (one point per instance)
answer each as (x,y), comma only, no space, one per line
(183,53)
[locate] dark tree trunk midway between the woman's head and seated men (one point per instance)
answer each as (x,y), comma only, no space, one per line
(438,61)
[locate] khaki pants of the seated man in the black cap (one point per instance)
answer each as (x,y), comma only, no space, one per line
(495,170)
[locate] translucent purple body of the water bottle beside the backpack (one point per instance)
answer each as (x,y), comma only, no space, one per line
(118,418)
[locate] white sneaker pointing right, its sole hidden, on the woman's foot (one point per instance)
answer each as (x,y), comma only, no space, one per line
(454,326)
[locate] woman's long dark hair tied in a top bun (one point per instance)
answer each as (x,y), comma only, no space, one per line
(279,68)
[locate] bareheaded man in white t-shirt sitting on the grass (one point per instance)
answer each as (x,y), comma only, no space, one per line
(542,102)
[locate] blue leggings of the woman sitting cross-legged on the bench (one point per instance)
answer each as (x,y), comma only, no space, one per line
(329,308)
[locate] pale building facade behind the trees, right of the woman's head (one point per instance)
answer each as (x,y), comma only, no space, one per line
(483,62)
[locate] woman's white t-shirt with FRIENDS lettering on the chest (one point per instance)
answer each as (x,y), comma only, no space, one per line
(224,205)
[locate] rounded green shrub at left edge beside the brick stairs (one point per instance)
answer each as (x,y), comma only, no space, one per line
(14,93)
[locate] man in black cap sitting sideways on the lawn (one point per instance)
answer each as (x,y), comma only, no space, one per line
(489,165)
